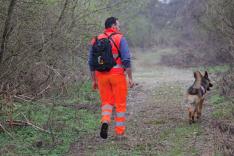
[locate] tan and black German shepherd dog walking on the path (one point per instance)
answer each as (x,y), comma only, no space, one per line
(195,95)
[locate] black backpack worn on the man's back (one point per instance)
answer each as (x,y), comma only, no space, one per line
(102,57)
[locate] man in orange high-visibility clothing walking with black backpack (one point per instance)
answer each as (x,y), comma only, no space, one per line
(111,81)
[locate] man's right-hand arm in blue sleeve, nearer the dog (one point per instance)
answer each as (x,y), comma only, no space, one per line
(126,59)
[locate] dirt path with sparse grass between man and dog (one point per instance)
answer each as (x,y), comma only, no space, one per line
(157,123)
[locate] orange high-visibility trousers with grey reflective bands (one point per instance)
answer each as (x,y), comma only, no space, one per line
(113,93)
